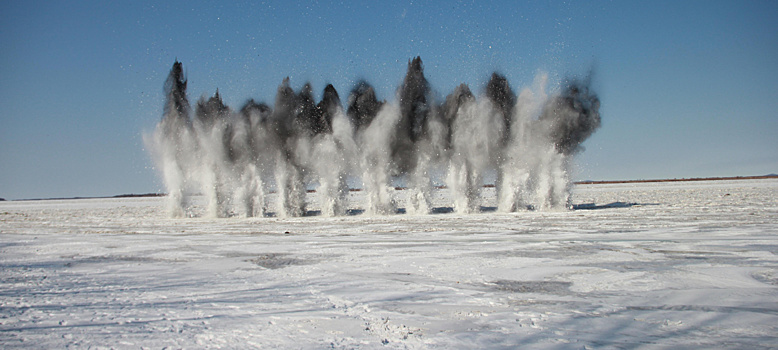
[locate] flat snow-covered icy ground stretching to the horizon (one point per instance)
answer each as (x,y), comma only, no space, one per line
(662,265)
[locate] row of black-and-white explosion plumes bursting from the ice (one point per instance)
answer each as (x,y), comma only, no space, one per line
(237,159)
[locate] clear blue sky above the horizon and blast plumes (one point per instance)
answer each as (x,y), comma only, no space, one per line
(688,88)
